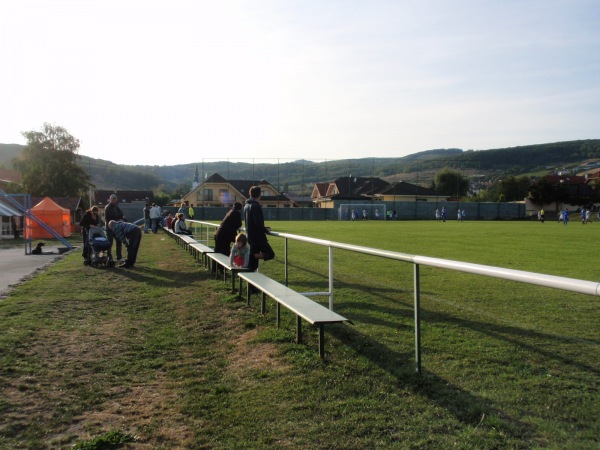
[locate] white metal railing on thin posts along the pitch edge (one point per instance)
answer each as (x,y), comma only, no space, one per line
(550,281)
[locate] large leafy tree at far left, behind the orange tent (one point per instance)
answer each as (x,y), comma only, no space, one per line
(48,164)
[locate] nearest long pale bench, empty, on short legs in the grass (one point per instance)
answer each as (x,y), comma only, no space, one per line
(302,306)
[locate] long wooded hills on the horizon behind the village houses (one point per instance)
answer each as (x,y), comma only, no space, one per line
(299,176)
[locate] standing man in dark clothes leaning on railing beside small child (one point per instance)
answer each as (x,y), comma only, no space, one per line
(256,230)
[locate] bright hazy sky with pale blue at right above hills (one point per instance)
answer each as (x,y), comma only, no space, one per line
(181,81)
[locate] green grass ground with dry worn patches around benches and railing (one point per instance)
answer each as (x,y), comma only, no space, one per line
(166,357)
